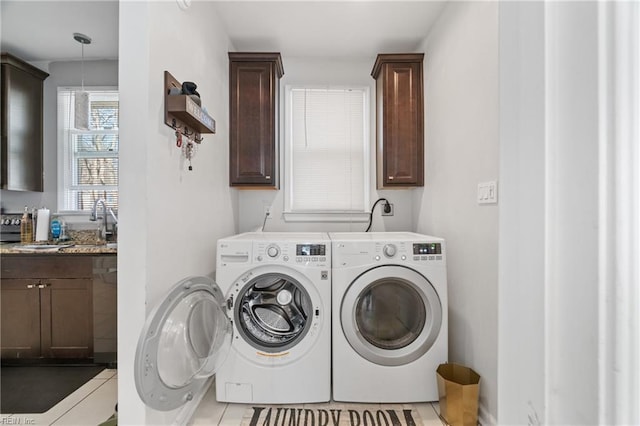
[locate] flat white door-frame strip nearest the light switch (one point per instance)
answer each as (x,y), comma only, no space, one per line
(521,352)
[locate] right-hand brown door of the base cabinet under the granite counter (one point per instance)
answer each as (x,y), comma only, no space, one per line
(67,318)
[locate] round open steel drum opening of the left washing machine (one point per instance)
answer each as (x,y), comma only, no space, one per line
(273,312)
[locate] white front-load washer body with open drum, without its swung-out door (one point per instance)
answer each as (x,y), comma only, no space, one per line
(278,288)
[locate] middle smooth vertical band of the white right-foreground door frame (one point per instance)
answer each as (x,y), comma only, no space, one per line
(572,215)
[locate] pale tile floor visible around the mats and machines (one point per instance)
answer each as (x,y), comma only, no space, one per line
(94,402)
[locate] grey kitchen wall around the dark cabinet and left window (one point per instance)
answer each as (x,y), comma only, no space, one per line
(96,73)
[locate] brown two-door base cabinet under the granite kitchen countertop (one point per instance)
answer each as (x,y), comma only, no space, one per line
(47,307)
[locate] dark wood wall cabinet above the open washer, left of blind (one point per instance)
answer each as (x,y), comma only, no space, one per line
(254,80)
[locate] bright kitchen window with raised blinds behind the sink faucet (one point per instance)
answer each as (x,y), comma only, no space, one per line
(88,159)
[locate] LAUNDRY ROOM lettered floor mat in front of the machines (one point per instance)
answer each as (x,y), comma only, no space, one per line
(333,414)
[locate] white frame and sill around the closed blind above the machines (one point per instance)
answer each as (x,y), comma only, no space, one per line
(292,215)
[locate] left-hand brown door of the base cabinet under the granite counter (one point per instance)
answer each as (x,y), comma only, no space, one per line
(20,318)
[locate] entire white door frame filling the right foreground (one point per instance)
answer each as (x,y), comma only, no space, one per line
(568,337)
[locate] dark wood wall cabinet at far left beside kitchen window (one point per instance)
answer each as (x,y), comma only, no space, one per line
(21,107)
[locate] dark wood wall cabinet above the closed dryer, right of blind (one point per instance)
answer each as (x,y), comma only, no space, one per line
(399,120)
